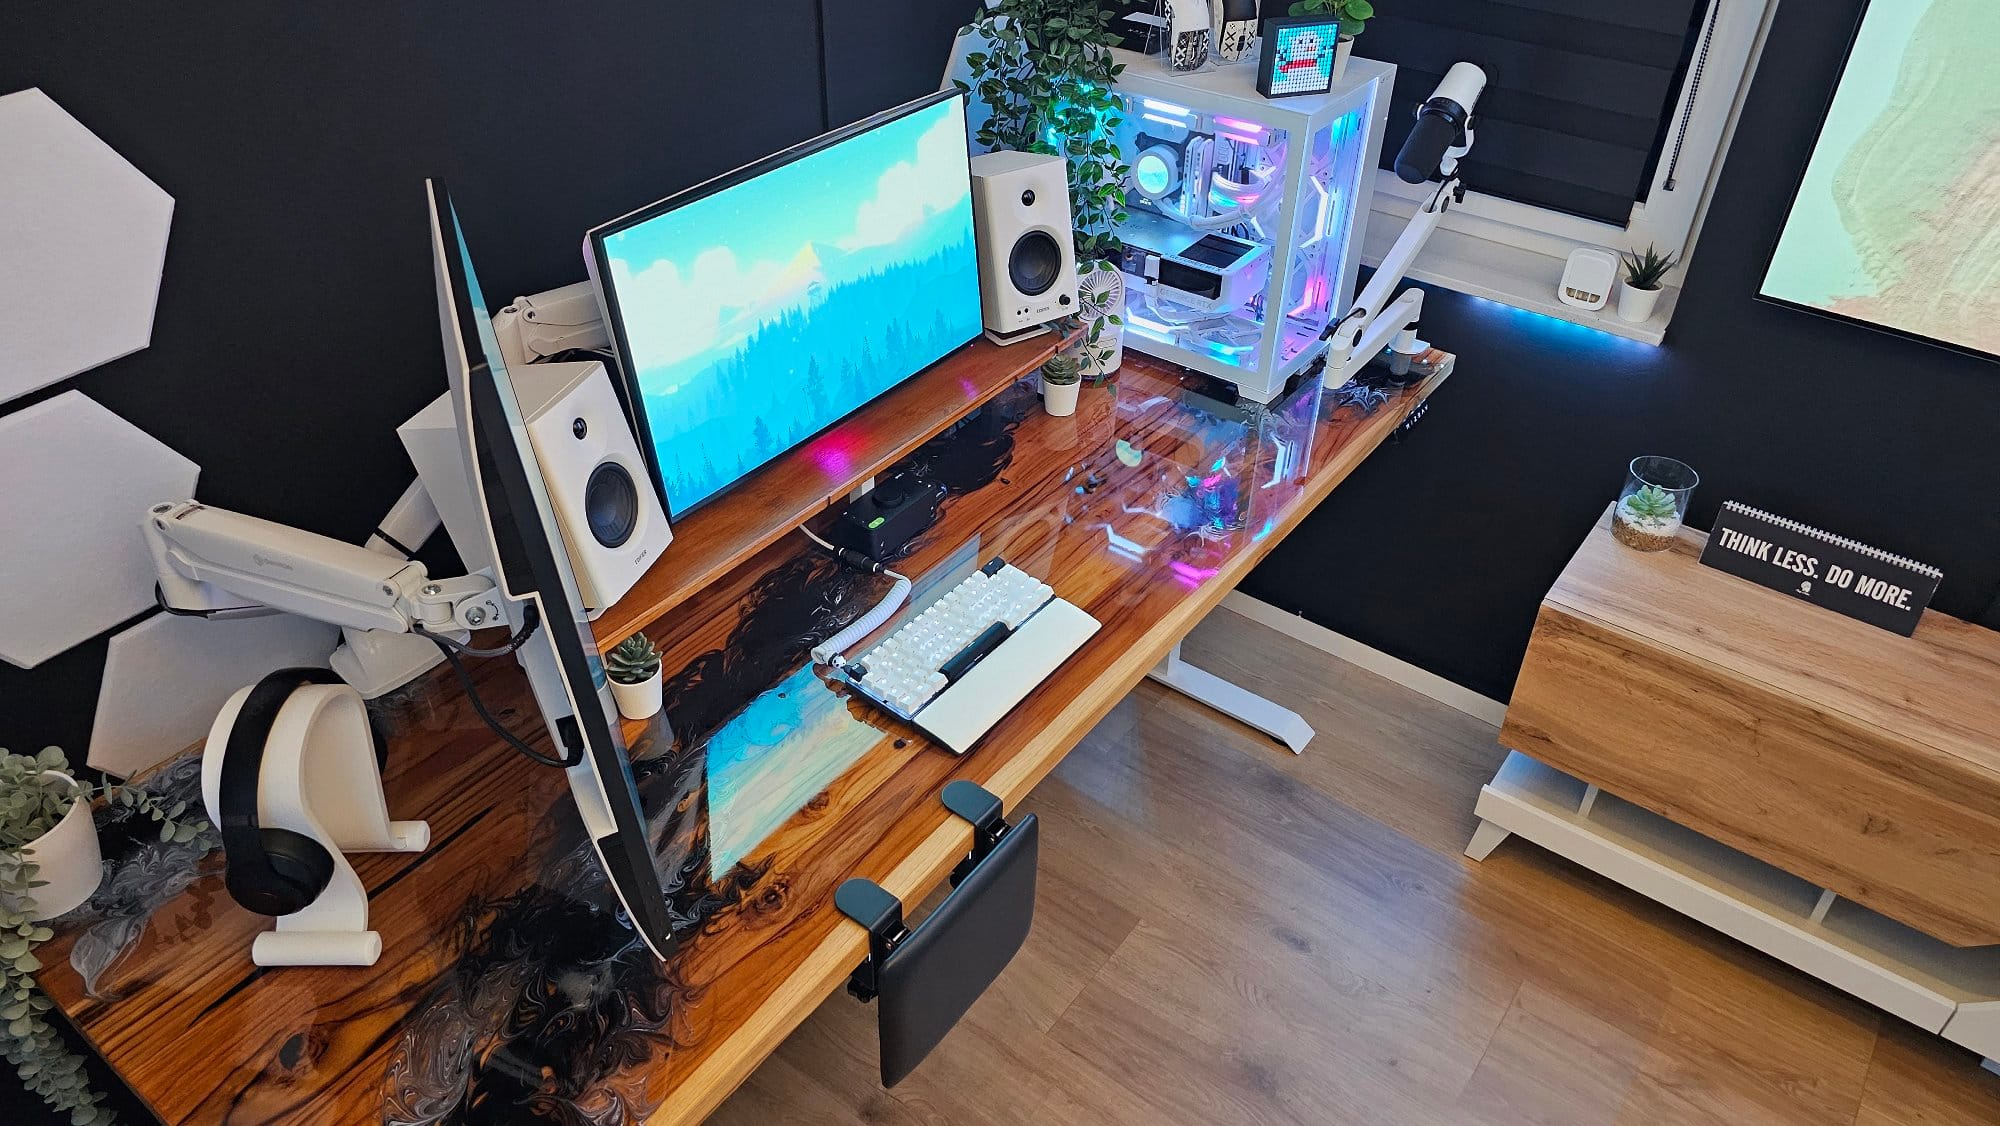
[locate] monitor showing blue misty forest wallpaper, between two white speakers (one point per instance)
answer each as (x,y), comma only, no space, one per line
(763,313)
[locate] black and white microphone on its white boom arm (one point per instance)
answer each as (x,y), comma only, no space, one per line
(1441,139)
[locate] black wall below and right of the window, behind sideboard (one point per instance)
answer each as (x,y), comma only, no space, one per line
(1441,549)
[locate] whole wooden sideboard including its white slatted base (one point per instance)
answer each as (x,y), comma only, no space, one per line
(1811,785)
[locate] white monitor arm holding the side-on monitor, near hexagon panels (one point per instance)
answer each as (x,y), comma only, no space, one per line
(223,565)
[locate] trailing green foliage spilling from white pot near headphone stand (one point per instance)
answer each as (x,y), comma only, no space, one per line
(31,805)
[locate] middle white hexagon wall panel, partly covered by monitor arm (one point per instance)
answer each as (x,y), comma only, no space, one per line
(75,481)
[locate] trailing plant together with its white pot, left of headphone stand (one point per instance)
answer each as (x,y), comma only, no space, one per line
(49,865)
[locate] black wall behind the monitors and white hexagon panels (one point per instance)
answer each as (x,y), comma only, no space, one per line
(297,323)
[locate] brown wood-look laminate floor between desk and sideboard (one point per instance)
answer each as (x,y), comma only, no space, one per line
(1231,935)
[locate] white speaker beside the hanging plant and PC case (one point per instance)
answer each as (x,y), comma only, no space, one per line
(1021,213)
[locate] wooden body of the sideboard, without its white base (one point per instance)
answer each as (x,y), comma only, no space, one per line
(1837,751)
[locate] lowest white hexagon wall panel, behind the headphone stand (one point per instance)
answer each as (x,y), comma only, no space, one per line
(167,677)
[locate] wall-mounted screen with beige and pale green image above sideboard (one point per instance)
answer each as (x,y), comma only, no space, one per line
(1899,217)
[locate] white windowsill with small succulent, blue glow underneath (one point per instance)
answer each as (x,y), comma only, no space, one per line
(1507,275)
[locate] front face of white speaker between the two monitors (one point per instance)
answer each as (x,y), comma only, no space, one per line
(605,501)
